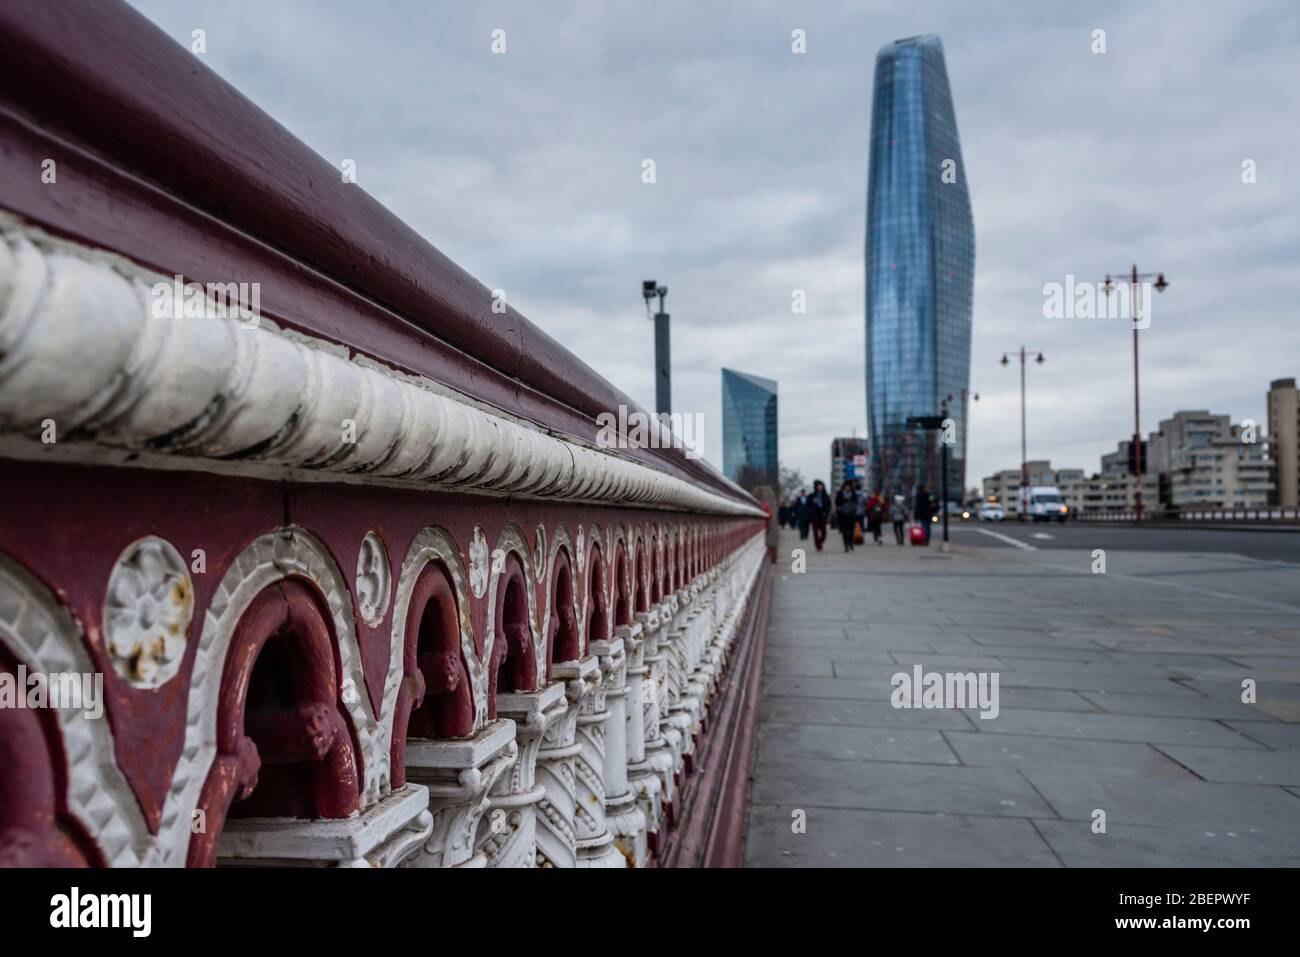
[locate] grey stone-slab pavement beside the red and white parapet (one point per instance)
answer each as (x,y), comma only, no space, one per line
(1119,692)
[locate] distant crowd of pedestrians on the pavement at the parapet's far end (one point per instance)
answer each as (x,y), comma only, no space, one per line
(856,514)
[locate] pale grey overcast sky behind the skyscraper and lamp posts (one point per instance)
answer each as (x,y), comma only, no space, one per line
(526,168)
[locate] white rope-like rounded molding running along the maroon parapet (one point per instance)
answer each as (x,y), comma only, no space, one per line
(81,350)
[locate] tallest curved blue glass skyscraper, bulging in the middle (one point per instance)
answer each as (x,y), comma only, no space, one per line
(921,269)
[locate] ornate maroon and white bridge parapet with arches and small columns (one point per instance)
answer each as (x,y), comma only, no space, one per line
(320,557)
